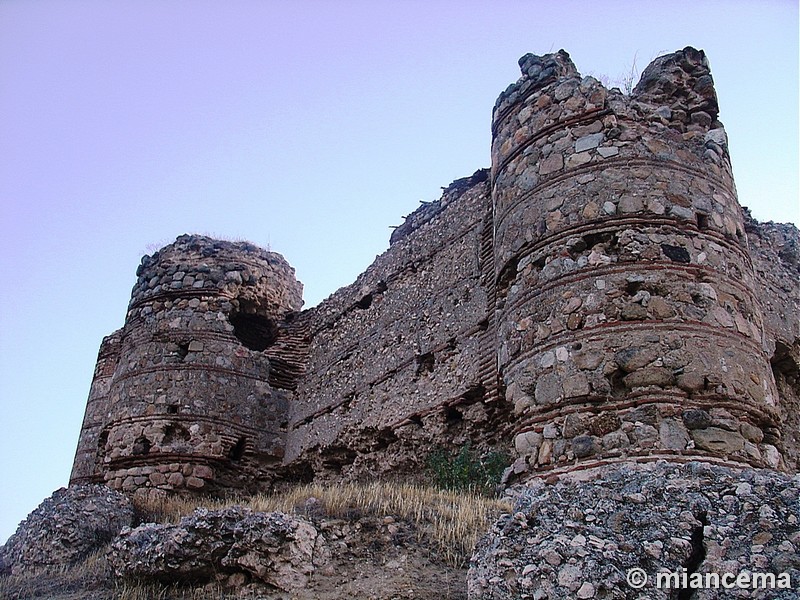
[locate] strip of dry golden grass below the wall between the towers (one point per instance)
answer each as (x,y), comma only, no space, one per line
(453,521)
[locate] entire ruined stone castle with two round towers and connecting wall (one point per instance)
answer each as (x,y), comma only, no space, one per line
(597,296)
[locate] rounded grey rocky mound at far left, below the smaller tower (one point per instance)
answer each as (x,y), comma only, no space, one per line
(65,528)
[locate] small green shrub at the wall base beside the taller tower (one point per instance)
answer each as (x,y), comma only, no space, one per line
(466,469)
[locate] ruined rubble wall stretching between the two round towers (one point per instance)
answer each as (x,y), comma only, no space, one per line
(404,358)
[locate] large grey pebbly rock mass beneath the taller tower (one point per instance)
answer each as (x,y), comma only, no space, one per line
(580,539)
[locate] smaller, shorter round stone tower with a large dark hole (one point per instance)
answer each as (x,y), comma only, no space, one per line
(190,405)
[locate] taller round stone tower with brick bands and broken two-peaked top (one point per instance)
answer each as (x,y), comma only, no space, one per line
(627,324)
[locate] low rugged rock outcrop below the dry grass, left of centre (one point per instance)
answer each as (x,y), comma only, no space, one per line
(274,548)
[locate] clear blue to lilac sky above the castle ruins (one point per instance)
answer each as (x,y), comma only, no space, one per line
(309,127)
